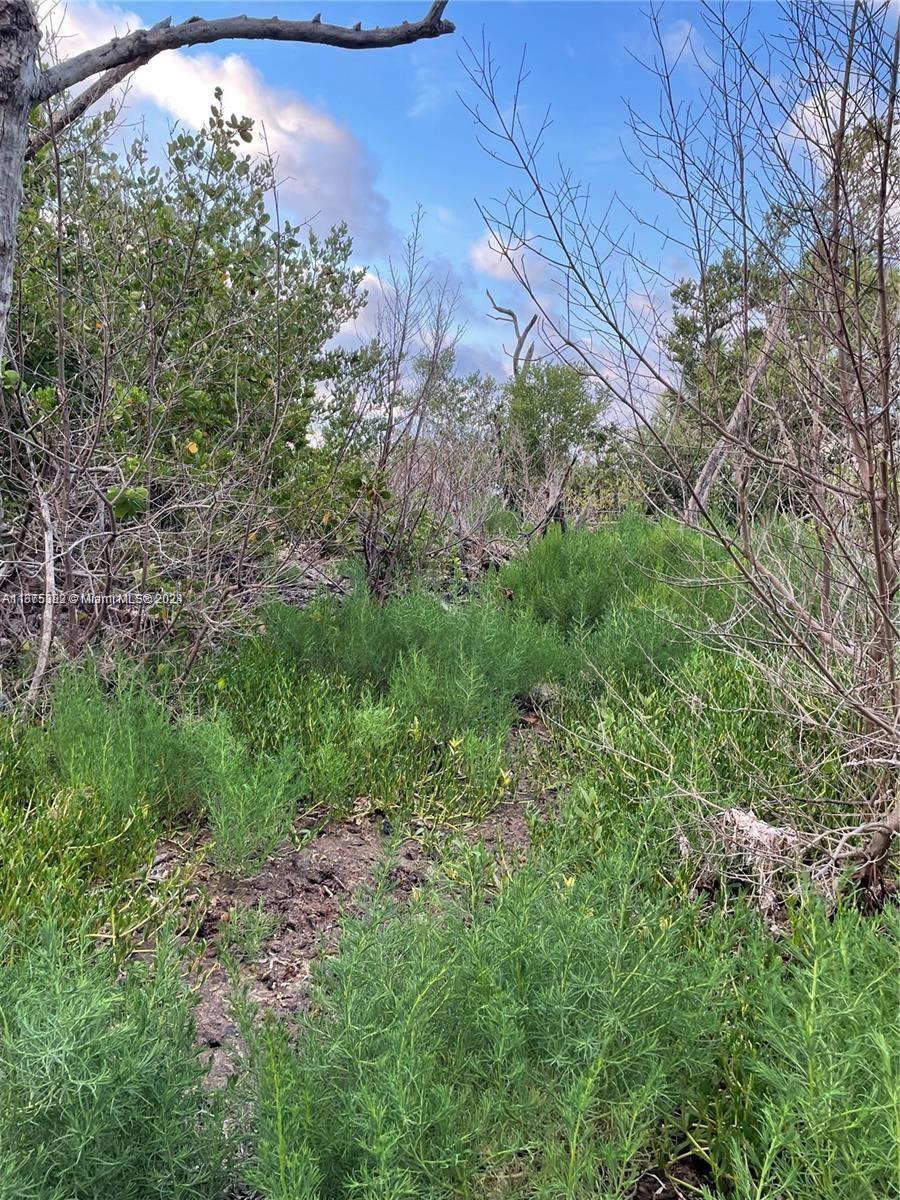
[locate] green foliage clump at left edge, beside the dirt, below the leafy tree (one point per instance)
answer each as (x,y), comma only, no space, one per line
(83,802)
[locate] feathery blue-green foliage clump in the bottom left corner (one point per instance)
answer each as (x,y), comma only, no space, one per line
(101,1091)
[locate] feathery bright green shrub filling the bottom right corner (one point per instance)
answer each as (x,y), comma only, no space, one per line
(815,1075)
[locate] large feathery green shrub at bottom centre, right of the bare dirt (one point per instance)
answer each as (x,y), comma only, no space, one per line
(543,1034)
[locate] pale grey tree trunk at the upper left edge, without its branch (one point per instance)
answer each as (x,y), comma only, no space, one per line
(20,38)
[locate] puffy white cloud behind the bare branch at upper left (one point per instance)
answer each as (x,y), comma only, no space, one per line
(326,172)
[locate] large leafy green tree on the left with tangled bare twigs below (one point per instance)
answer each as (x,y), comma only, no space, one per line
(172,364)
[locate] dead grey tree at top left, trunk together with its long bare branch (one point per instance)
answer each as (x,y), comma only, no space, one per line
(25,85)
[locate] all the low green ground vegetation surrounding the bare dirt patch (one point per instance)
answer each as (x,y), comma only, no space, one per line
(551,1031)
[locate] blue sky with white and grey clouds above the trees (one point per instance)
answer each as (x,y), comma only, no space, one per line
(365,137)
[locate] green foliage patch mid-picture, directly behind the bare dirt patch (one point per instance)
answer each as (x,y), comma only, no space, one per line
(406,704)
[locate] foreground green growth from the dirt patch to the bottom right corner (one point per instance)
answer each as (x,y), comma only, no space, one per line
(586,1022)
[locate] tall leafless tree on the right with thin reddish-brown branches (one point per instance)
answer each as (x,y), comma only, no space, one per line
(790,166)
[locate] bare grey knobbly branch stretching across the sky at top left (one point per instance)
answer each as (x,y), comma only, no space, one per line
(145,44)
